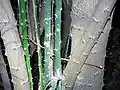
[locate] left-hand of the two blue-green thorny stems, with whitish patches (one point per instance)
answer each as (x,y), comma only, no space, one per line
(47,38)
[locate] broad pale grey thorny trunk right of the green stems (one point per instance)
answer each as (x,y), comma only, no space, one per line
(89,42)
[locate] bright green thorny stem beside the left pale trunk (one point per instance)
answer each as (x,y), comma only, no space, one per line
(23,28)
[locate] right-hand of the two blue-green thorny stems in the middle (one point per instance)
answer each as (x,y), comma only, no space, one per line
(58,69)
